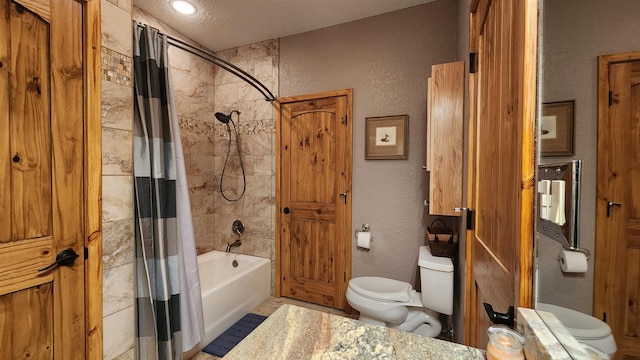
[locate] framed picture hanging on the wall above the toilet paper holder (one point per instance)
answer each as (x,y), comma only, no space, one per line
(387,138)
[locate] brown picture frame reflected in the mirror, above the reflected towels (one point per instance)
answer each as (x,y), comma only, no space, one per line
(556,129)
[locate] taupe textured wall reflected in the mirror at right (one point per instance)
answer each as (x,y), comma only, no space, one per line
(574,34)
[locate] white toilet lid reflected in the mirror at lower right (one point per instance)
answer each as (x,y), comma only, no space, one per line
(580,325)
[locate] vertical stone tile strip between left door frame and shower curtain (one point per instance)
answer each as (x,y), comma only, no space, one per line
(117,181)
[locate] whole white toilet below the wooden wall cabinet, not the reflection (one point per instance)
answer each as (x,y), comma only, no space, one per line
(395,304)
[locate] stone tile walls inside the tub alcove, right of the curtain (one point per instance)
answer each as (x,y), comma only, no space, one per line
(201,89)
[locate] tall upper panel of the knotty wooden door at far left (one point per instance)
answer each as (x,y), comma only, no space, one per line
(30,133)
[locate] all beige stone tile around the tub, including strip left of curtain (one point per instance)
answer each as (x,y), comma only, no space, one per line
(200,89)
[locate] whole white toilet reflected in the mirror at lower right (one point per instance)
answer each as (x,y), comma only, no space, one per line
(585,328)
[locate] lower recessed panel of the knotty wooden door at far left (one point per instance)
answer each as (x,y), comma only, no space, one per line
(26,330)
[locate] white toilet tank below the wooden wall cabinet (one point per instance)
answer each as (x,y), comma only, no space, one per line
(436,277)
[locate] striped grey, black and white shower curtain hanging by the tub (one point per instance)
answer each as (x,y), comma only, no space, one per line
(168,301)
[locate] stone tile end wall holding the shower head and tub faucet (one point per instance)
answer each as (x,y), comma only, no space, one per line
(256,127)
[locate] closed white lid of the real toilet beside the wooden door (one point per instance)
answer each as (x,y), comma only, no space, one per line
(381,288)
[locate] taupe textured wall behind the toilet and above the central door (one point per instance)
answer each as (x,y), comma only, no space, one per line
(386,60)
